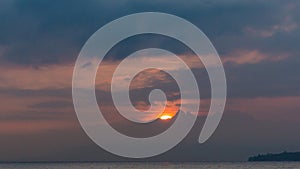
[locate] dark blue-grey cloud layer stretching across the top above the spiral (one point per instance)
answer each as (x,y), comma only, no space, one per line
(49,32)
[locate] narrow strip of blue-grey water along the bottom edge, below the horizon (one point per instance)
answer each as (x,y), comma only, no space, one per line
(151,165)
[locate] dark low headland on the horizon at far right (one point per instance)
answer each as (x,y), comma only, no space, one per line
(284,156)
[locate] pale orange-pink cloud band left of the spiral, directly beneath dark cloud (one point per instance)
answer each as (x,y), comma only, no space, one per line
(28,77)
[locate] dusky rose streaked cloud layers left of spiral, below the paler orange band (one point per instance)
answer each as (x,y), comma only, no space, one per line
(27,112)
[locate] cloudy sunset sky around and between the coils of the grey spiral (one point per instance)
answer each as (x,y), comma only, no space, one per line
(257,42)
